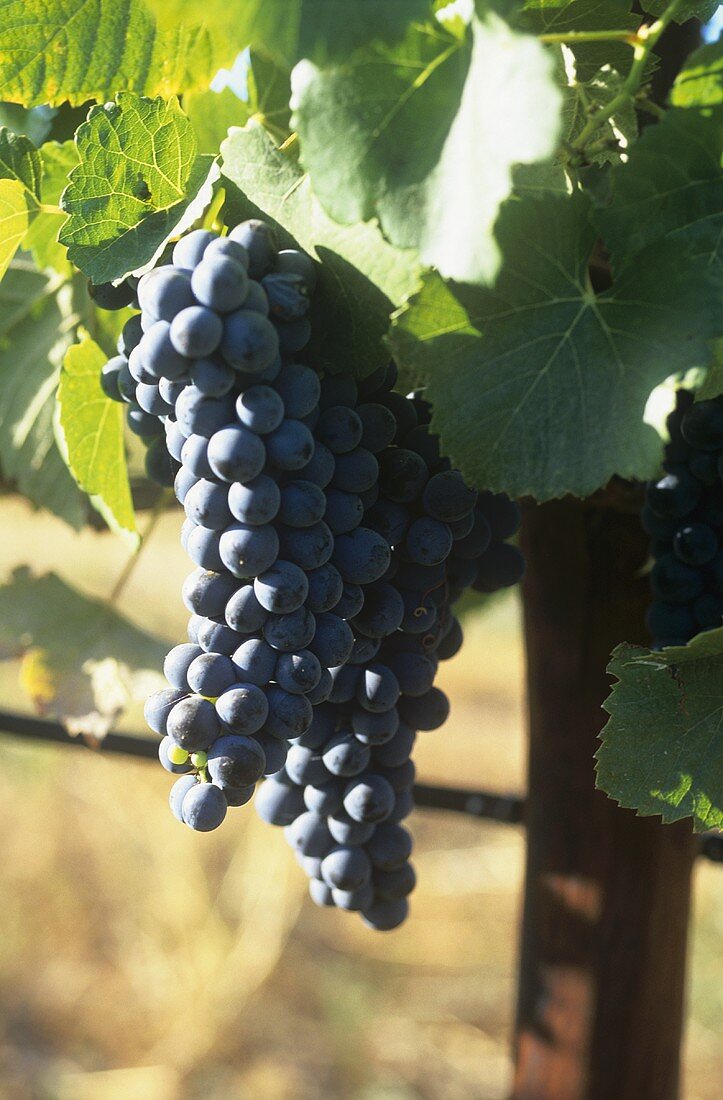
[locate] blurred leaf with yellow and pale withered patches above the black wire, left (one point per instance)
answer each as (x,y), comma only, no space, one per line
(82,661)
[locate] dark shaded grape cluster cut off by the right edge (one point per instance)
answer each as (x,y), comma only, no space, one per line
(684,516)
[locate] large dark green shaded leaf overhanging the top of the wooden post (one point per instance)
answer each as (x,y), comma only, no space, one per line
(540,386)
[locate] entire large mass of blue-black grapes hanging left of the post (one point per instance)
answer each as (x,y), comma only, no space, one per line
(331,542)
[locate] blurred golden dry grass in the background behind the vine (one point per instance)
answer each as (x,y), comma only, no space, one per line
(140,962)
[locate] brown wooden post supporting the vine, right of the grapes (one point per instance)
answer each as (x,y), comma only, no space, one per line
(607,895)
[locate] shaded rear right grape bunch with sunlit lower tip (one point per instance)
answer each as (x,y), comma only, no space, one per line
(347,784)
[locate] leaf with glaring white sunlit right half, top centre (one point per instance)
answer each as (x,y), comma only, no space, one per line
(439,188)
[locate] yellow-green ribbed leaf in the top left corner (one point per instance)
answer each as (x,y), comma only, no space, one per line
(53,51)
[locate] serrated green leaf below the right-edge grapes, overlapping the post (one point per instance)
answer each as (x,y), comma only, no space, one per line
(663,746)
